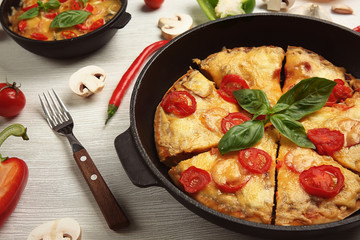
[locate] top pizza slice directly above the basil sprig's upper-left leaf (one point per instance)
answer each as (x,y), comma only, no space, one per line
(259,67)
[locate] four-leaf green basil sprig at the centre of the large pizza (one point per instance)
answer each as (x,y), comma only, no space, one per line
(306,97)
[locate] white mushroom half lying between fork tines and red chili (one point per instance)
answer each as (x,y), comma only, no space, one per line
(87,80)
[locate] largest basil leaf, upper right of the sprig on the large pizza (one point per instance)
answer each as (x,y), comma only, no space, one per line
(306,97)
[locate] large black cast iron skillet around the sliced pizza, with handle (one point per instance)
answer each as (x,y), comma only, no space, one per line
(136,148)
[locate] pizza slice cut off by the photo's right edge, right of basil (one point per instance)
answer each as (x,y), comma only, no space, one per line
(335,131)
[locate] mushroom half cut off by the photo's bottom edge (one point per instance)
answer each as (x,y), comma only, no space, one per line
(64,228)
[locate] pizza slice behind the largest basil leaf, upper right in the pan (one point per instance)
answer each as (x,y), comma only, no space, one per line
(301,64)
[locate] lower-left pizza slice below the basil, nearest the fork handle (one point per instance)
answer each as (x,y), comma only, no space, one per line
(240,184)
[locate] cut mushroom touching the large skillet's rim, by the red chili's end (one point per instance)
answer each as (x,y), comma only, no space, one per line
(173,27)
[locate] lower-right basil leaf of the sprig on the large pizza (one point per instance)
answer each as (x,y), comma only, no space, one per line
(291,129)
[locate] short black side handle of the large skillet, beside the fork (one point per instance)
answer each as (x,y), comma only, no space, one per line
(132,161)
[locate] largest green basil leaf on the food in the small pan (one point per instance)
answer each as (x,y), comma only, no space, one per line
(69,18)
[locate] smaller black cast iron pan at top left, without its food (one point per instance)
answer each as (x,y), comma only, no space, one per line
(69,47)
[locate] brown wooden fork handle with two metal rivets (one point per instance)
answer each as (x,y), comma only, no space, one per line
(109,207)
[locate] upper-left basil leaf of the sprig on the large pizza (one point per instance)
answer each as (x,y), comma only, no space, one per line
(253,100)
